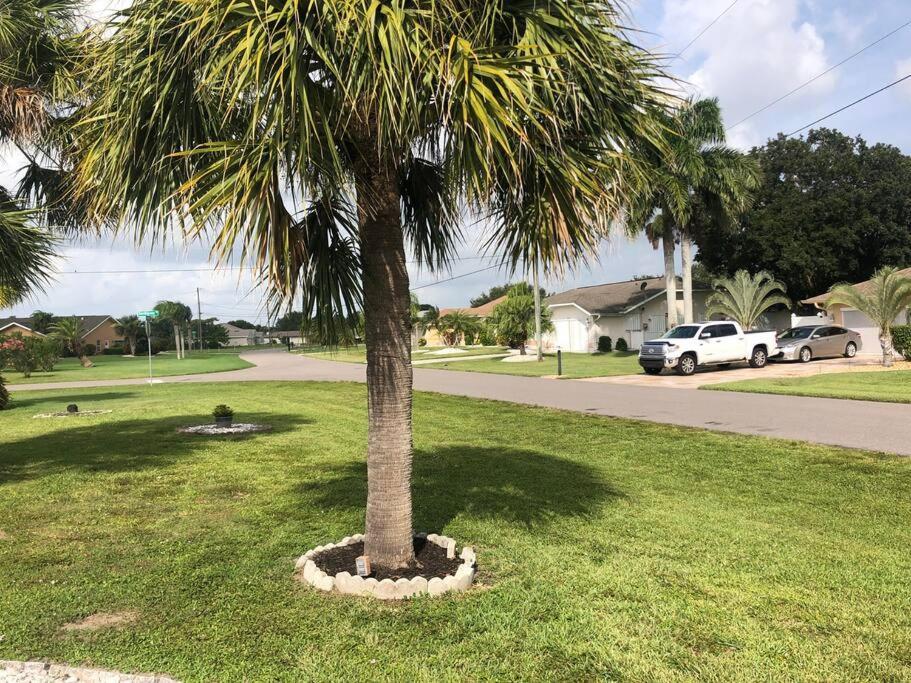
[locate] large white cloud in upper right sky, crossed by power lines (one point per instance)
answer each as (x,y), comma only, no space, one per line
(757,52)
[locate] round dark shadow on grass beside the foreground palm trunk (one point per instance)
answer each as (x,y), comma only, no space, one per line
(516,486)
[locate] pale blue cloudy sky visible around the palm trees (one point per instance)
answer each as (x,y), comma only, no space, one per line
(756,52)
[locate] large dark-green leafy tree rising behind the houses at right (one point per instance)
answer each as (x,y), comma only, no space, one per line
(830,208)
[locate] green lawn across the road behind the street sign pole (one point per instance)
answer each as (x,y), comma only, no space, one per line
(125,367)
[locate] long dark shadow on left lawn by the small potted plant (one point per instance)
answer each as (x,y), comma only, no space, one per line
(111,445)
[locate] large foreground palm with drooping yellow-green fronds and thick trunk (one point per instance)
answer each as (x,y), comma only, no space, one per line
(382,118)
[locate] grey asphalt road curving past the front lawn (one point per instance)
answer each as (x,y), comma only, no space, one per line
(884,427)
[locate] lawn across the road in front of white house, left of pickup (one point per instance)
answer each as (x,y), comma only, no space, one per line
(575,365)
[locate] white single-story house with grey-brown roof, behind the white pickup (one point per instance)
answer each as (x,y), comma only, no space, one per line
(633,309)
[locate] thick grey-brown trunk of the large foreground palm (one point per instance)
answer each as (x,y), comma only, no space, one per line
(387,326)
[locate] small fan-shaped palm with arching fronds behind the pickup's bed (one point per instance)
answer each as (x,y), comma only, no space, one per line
(745,297)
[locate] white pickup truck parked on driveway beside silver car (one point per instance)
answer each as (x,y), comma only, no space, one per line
(686,347)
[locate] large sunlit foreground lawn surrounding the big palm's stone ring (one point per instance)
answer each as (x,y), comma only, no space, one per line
(608,549)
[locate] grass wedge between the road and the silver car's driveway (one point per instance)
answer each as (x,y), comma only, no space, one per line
(892,387)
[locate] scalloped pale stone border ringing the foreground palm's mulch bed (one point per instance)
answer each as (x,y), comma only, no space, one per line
(387,589)
